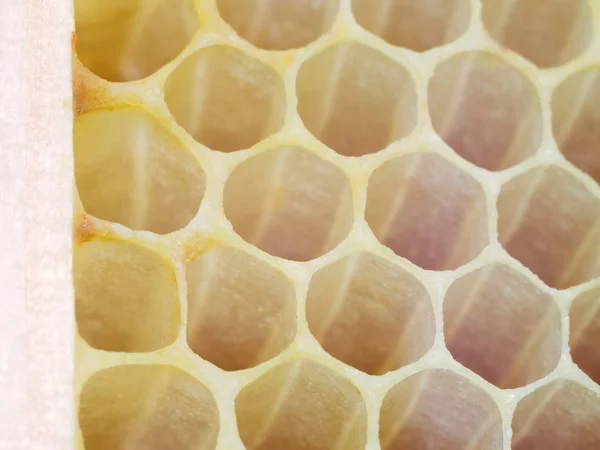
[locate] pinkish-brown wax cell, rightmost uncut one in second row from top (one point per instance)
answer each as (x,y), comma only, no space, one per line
(485,110)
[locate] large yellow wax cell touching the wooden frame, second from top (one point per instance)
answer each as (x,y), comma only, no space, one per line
(129,169)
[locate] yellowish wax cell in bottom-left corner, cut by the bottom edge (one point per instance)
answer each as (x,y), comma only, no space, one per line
(147,407)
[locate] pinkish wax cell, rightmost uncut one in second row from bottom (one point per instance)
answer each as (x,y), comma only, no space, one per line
(502,327)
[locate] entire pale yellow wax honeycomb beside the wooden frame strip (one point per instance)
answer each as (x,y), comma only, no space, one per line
(337,224)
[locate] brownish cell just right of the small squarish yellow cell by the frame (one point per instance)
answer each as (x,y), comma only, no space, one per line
(241,311)
